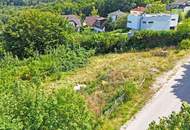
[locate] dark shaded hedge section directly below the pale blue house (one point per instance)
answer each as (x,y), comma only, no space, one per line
(152,39)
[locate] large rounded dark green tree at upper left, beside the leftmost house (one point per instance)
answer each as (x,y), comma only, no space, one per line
(34,31)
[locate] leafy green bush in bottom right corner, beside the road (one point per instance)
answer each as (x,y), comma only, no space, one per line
(177,121)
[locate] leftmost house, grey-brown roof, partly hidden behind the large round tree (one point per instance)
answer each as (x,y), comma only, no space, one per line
(74,20)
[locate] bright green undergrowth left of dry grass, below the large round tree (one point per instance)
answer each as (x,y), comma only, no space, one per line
(26,104)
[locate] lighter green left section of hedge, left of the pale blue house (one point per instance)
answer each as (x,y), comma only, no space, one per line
(101,42)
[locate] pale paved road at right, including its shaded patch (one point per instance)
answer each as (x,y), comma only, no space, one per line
(169,98)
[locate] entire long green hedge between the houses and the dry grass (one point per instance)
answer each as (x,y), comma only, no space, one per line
(119,42)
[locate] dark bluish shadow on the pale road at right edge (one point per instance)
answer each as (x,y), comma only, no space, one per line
(182,88)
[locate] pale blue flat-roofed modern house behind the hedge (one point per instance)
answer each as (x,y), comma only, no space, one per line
(152,21)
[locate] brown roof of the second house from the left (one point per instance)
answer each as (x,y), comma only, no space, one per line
(91,20)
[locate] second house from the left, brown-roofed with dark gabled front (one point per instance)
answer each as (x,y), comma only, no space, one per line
(96,23)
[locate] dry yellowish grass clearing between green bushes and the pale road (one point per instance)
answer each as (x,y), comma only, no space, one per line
(105,74)
